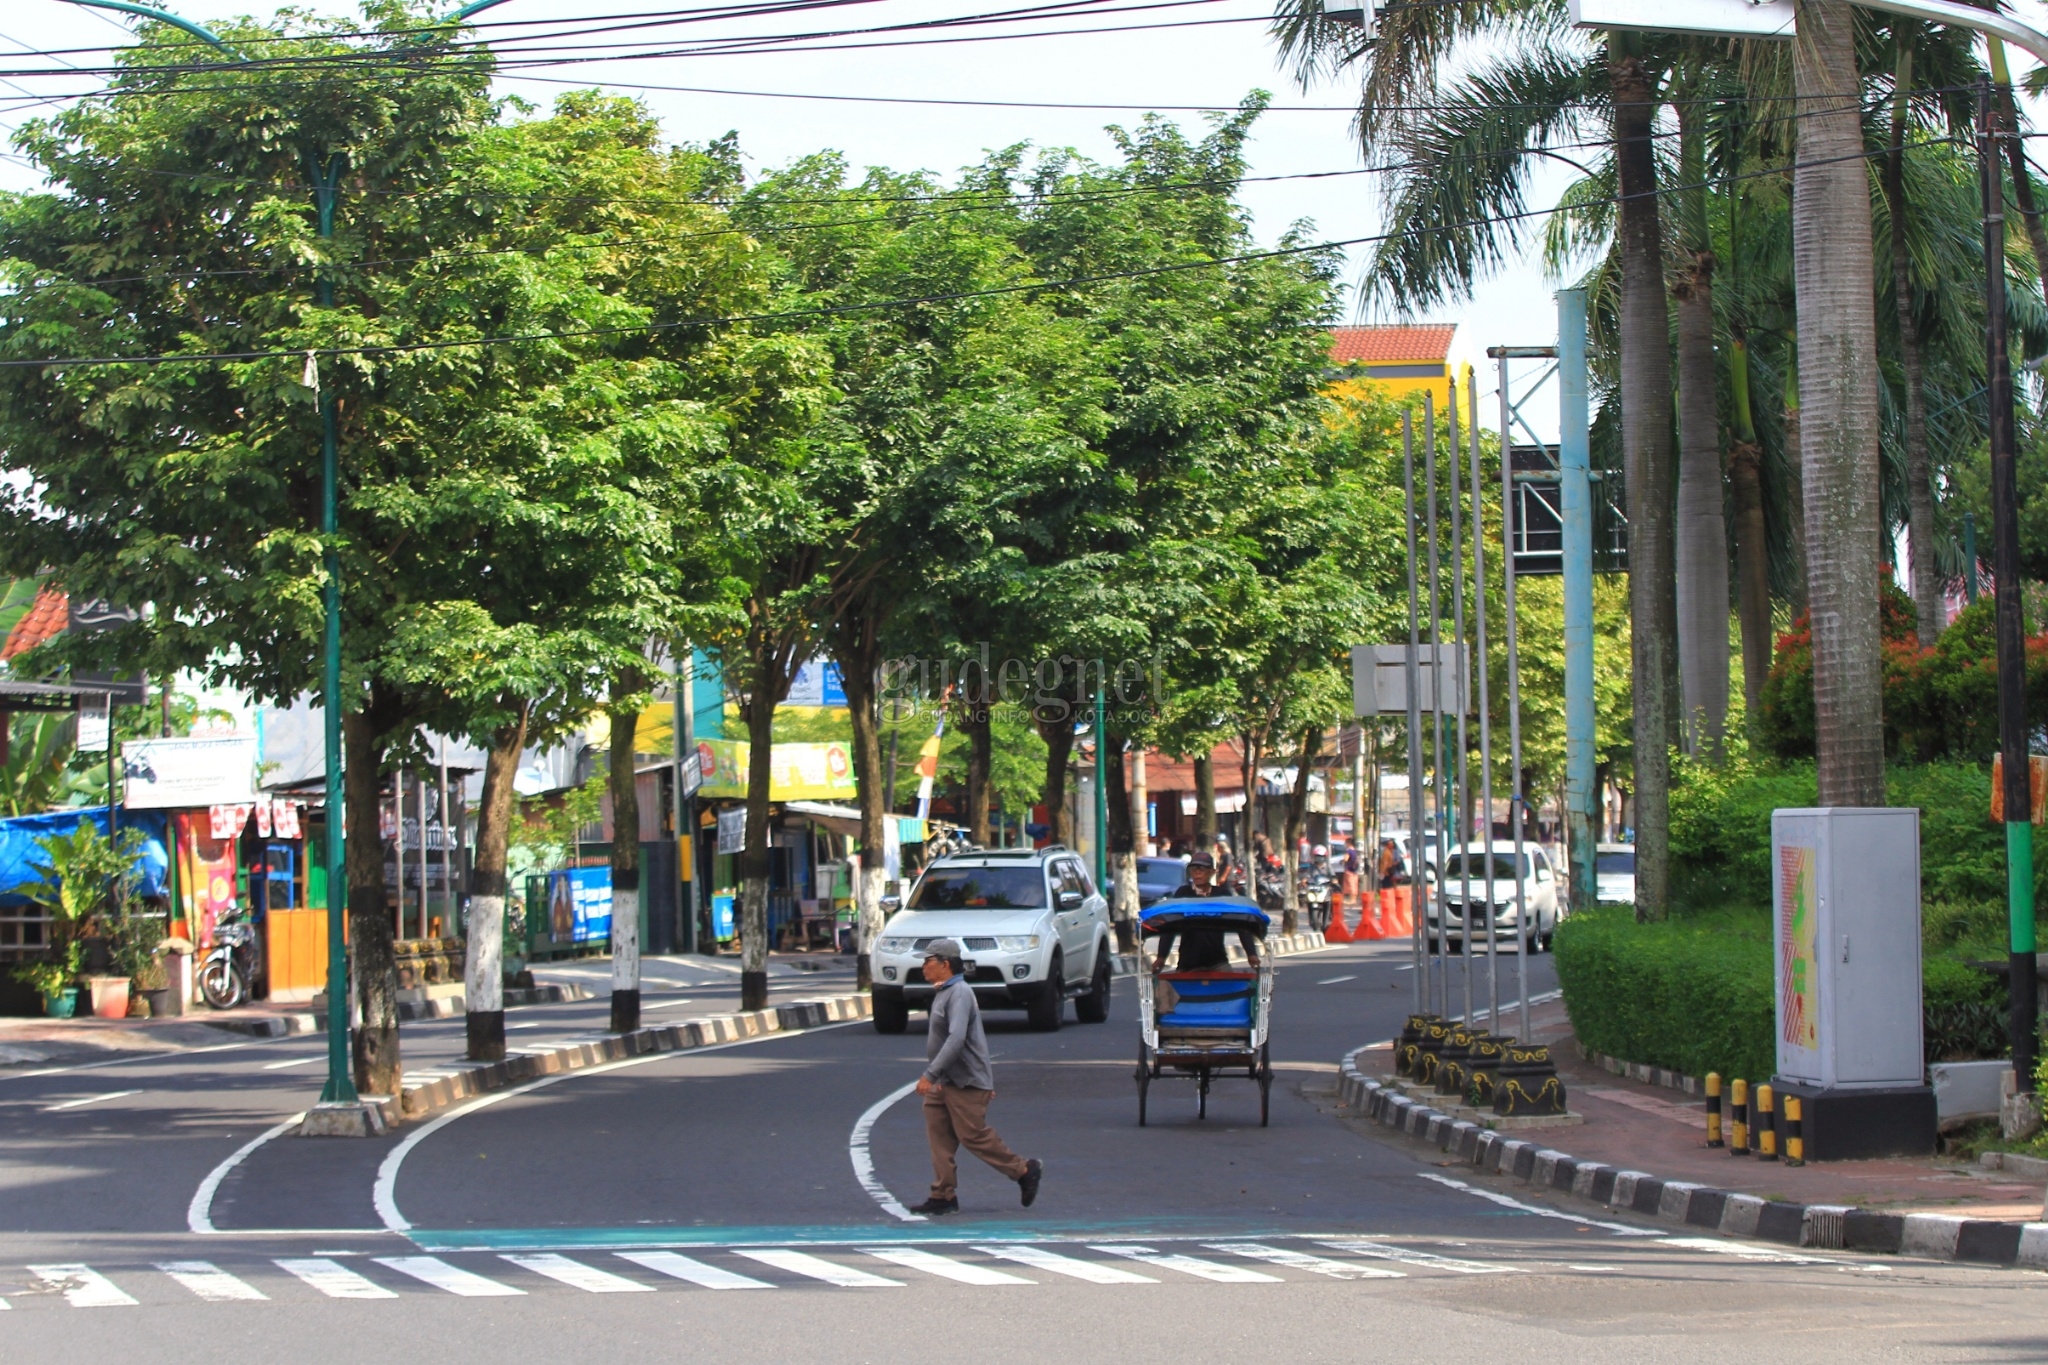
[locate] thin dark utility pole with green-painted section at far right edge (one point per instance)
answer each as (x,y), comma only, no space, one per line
(2008,611)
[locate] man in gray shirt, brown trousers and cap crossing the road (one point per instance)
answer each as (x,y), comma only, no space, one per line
(957,1088)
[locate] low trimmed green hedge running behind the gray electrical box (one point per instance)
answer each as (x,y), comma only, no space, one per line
(1695,994)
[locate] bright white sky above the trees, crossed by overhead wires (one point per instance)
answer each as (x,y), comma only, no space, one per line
(1308,138)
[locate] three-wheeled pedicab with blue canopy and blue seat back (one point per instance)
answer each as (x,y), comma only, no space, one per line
(1203,1016)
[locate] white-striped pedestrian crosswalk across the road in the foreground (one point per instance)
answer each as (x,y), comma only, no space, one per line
(994,1266)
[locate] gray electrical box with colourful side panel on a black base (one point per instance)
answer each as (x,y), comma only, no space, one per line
(1846,938)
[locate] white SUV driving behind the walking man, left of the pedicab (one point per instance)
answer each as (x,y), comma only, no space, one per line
(1033,932)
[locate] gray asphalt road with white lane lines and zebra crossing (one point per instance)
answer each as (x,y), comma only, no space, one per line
(736,1204)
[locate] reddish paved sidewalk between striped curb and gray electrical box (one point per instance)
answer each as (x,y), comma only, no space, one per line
(1637,1127)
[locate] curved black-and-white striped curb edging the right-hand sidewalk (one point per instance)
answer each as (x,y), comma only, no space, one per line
(1934,1237)
